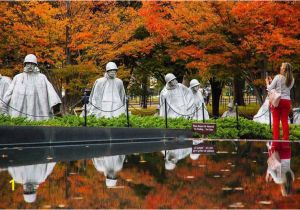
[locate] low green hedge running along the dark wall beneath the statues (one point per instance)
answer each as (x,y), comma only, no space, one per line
(226,127)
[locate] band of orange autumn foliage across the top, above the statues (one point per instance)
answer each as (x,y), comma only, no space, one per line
(232,36)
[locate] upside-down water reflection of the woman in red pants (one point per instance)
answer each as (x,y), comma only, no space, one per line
(283,174)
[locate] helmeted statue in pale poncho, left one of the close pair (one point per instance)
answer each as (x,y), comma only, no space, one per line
(180,101)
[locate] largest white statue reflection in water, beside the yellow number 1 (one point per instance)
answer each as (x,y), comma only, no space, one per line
(31,176)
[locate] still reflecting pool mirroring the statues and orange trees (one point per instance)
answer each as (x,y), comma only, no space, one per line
(133,176)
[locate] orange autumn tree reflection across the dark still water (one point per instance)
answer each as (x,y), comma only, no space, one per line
(224,180)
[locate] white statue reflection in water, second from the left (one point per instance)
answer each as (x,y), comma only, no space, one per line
(109,165)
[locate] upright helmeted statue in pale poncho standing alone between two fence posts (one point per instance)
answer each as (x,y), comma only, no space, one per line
(108,96)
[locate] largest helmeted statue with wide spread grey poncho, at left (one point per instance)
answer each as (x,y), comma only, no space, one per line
(30,94)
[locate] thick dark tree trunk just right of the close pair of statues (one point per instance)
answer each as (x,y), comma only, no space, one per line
(216,90)
